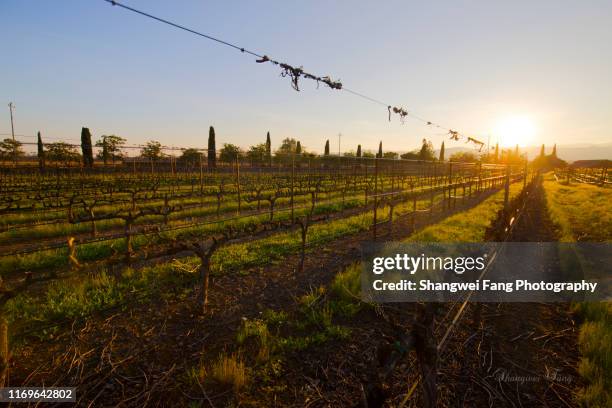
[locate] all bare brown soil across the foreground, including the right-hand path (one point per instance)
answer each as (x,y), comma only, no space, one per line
(515,355)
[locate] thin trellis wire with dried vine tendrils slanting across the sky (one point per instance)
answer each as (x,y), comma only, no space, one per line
(297,72)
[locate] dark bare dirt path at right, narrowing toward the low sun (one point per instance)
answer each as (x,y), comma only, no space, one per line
(525,354)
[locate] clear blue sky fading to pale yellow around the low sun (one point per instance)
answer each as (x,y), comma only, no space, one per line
(487,69)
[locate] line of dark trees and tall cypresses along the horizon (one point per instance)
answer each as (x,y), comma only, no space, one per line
(110,151)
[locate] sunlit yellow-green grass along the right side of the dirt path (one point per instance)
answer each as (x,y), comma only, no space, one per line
(582,212)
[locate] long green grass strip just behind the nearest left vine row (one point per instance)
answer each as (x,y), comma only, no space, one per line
(83,295)
